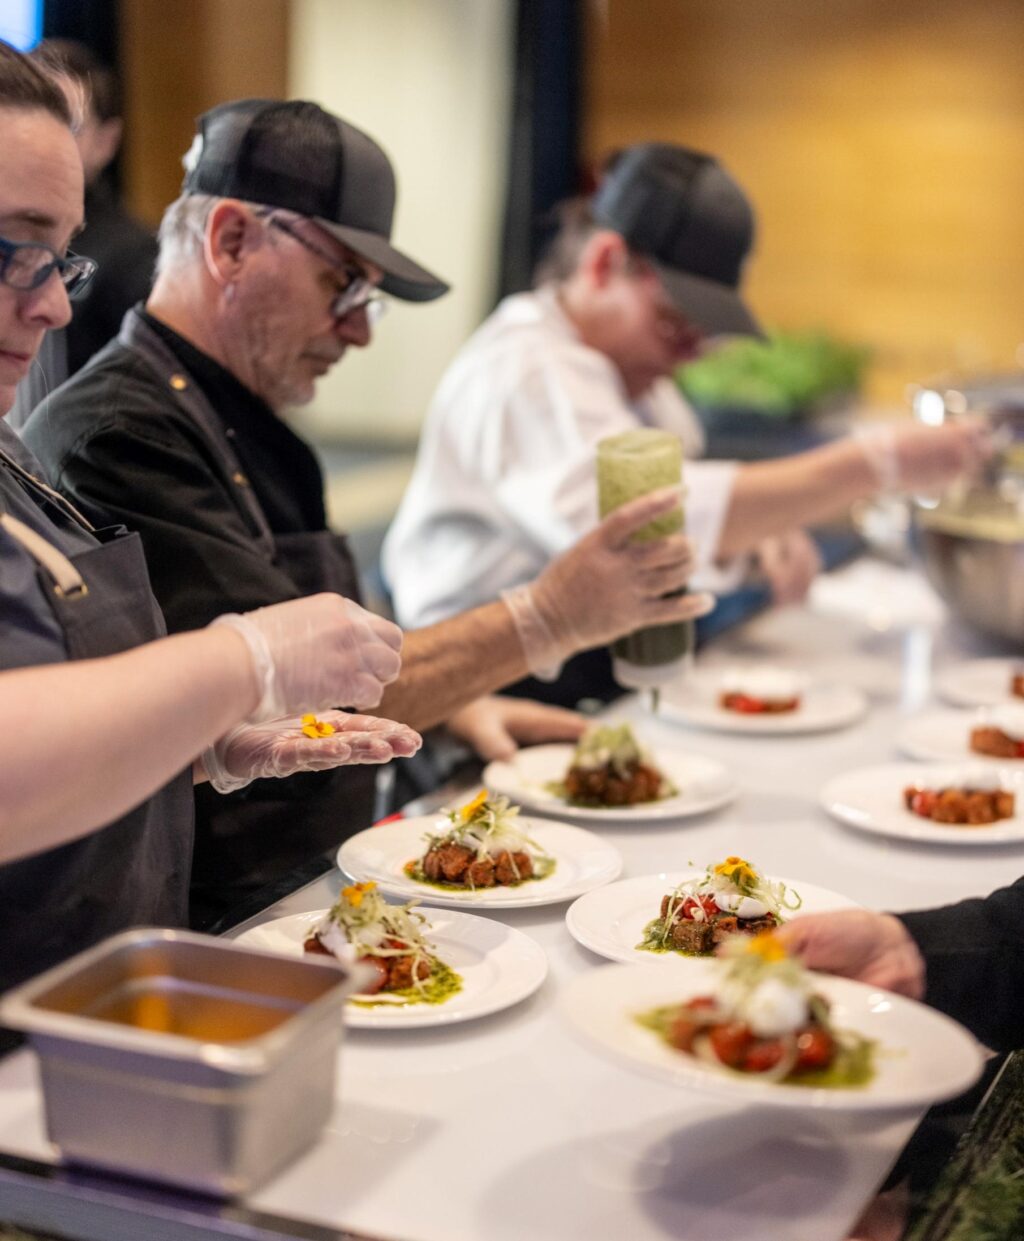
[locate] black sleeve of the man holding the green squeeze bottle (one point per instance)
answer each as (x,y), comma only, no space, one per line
(156,478)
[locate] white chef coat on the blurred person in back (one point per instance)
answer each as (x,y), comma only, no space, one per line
(506,480)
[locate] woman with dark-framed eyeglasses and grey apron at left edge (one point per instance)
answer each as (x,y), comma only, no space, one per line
(105,723)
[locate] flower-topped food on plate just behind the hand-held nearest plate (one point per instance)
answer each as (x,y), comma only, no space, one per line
(732,898)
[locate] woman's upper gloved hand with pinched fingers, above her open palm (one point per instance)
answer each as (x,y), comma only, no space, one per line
(320,652)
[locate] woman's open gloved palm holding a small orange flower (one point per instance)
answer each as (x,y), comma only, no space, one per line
(280,748)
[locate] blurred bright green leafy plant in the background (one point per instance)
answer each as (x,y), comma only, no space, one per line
(793,375)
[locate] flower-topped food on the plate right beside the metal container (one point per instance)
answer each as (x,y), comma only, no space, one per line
(363,928)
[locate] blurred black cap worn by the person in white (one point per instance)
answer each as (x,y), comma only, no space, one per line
(682,212)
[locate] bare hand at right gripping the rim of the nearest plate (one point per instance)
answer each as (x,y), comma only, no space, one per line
(873,949)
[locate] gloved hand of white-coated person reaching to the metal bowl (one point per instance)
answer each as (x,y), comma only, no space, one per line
(914,457)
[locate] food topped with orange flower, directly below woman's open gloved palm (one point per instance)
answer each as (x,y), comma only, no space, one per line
(482,846)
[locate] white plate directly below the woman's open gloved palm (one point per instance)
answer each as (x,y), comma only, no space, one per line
(380,854)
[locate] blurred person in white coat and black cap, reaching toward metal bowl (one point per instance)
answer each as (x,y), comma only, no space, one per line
(636,282)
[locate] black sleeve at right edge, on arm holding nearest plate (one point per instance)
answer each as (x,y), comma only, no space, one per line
(975,957)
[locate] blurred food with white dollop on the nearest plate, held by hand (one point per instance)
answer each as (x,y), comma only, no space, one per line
(765,1019)
